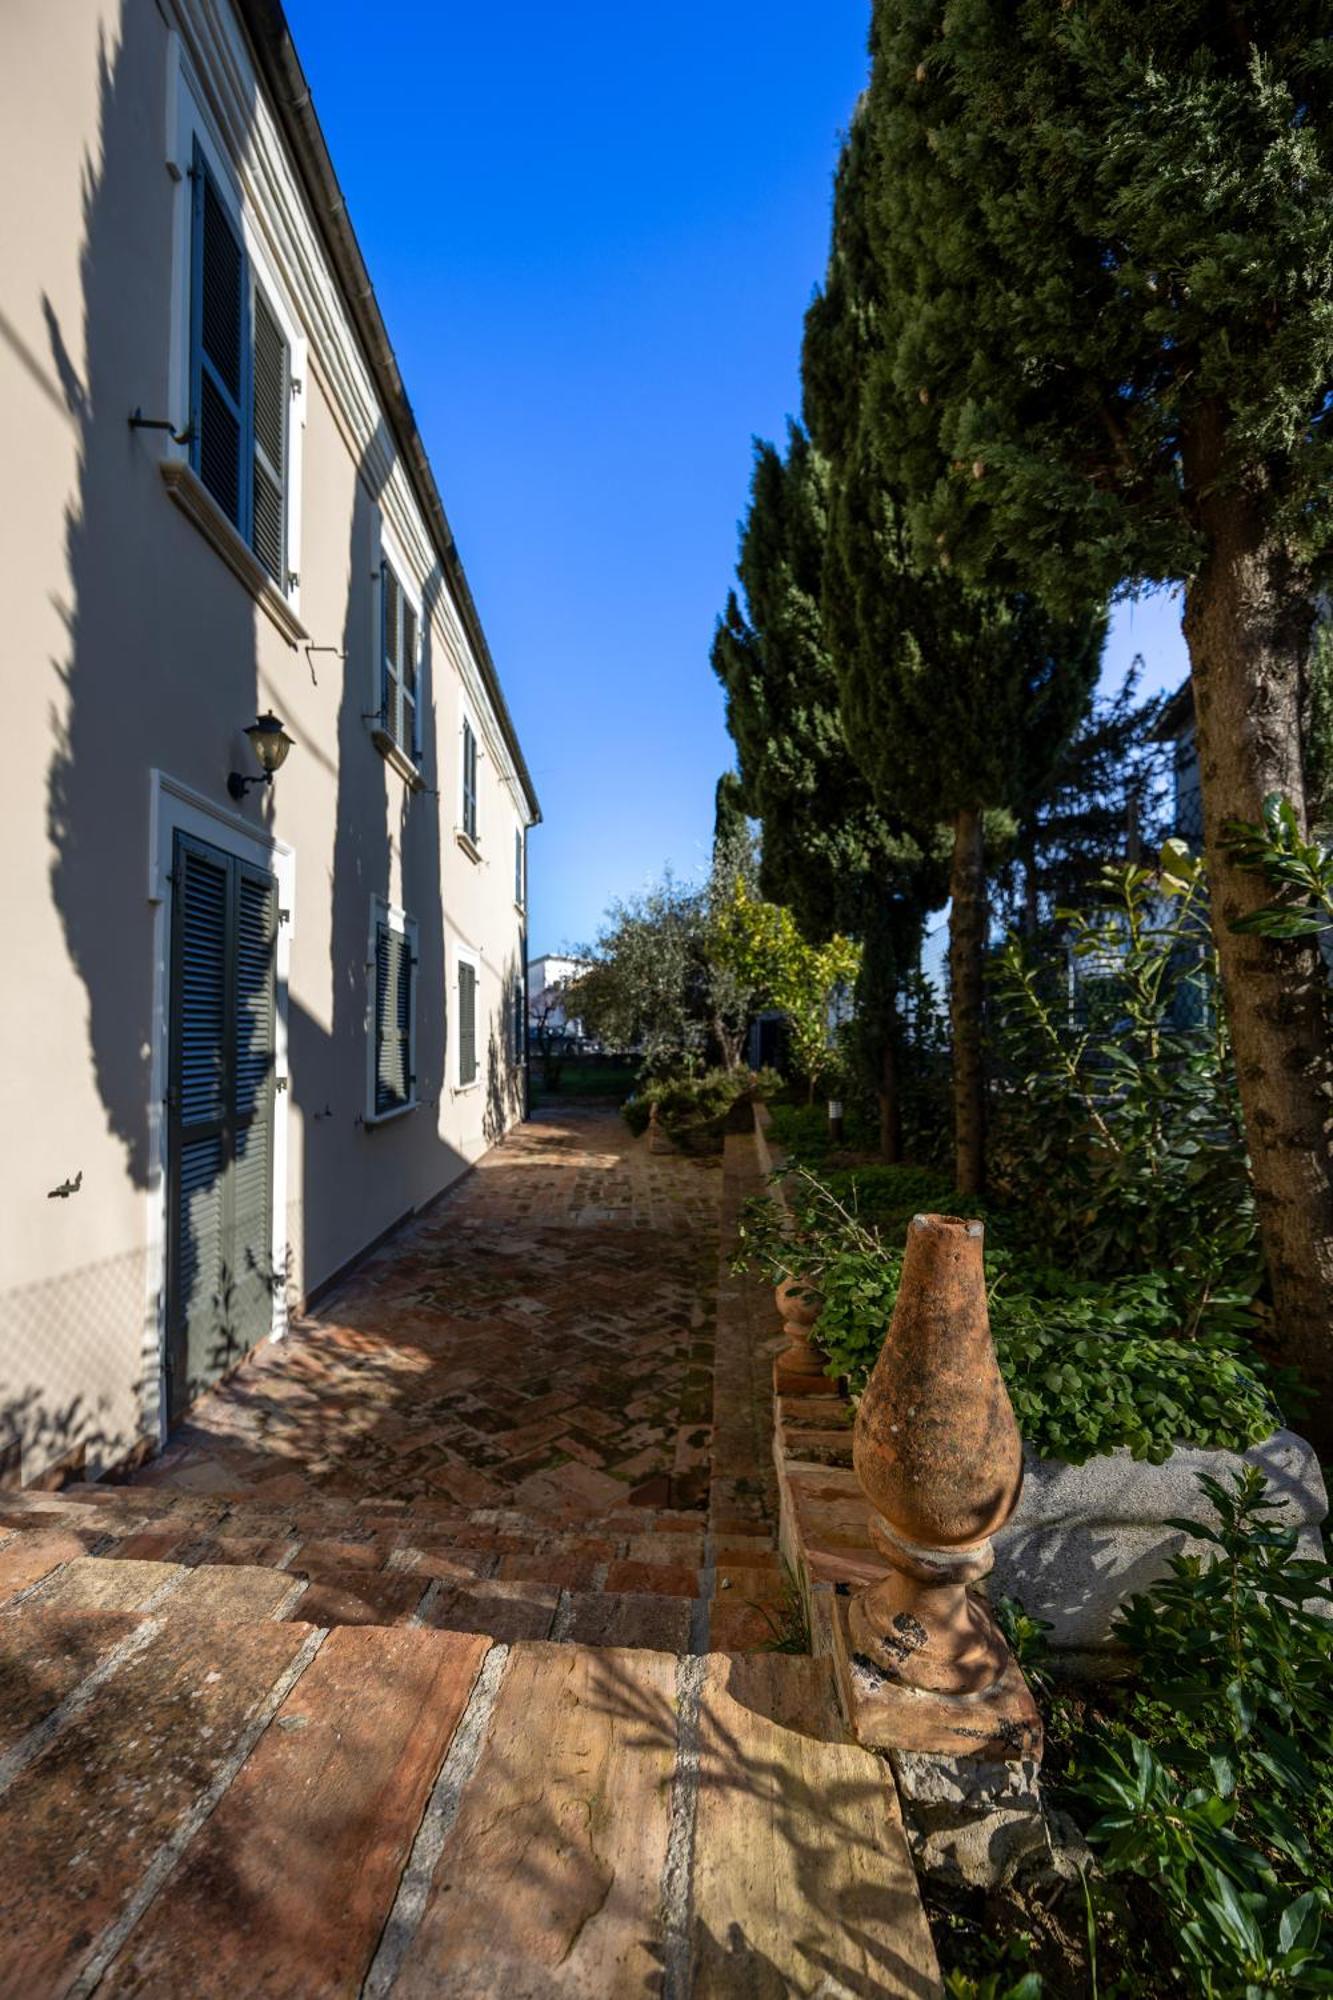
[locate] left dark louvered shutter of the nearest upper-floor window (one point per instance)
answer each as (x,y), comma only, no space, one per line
(217,347)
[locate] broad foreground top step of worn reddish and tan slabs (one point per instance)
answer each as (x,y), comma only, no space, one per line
(273,1809)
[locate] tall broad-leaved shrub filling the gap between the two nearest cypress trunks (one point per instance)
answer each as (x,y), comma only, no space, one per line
(1118,1139)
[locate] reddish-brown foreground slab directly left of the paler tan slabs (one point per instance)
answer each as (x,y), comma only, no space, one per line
(289,1883)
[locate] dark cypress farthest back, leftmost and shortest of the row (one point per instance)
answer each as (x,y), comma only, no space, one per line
(828,853)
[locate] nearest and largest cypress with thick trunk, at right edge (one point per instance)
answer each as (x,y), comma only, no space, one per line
(1106,237)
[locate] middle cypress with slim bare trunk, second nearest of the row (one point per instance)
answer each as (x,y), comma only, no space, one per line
(958,699)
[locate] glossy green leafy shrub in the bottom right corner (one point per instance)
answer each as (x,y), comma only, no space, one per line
(1214,1787)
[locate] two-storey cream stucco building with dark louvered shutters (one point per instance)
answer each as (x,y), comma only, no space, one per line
(247,1027)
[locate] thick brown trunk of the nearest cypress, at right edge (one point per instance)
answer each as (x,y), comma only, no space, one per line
(1248,625)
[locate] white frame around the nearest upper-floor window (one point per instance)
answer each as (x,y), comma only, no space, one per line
(189,125)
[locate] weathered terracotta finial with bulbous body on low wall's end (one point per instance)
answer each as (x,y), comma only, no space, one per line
(940,1459)
